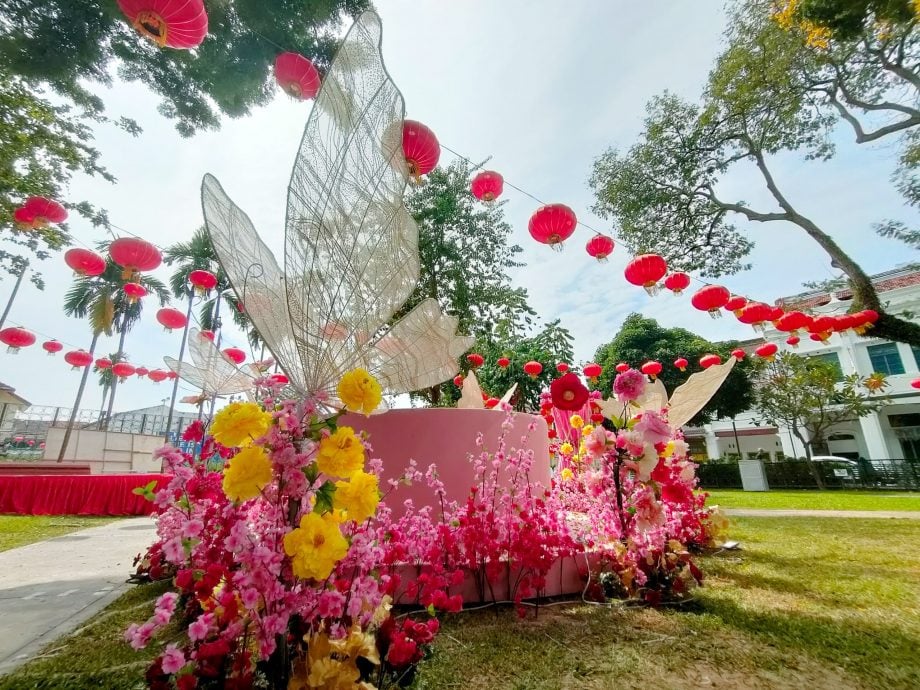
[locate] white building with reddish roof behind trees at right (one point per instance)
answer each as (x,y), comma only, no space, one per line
(893,432)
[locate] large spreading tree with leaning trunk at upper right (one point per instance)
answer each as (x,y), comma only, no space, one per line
(773,90)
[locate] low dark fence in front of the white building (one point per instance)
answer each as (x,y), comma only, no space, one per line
(893,474)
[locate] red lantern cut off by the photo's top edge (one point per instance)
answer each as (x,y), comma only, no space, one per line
(168,22)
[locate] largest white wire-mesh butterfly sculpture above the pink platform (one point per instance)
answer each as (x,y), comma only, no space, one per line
(351,257)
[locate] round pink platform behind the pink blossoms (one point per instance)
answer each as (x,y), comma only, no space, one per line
(447,437)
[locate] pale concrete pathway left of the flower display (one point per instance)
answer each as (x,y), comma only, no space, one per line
(49,588)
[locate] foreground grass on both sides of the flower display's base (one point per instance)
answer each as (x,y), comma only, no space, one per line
(806,603)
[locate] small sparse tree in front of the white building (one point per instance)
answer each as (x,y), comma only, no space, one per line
(810,396)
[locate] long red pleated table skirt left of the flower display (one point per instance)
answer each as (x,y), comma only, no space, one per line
(93,494)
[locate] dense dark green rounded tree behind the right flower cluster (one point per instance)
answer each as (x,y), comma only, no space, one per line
(641,339)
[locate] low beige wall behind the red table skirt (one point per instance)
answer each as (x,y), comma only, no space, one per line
(106,452)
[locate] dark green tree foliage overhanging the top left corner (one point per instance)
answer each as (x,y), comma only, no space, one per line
(70,45)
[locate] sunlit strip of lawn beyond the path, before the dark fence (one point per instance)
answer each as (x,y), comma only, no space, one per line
(816,500)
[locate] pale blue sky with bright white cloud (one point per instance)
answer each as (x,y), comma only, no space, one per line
(539,88)
